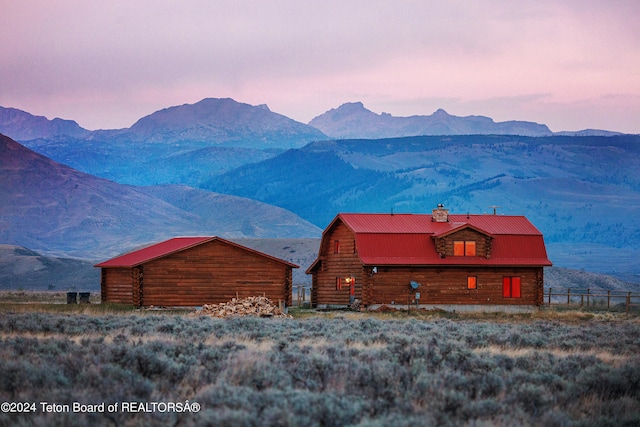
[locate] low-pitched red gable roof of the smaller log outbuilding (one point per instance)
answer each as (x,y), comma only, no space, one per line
(171,246)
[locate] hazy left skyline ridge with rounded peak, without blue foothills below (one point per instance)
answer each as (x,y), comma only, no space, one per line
(209,122)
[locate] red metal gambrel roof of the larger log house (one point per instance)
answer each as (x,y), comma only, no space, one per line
(408,239)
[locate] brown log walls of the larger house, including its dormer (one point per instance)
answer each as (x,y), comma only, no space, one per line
(440,284)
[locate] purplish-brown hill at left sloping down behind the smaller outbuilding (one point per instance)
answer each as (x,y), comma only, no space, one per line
(50,207)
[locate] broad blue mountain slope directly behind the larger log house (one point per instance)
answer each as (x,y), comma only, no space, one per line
(582,192)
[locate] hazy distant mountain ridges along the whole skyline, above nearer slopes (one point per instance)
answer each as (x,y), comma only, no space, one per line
(197,123)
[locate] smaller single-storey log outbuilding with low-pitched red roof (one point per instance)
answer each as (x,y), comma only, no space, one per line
(192,271)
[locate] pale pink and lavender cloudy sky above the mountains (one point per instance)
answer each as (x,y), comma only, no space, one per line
(569,64)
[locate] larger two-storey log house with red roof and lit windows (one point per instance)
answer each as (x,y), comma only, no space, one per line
(452,262)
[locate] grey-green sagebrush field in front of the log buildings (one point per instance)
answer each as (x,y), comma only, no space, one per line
(324,369)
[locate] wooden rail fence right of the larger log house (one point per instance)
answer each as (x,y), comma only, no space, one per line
(609,300)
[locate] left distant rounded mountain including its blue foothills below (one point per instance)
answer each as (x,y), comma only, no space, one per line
(176,145)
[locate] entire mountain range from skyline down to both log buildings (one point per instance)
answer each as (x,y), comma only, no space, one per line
(236,170)
